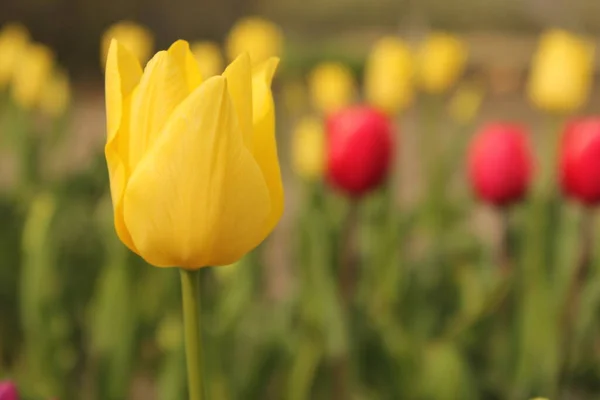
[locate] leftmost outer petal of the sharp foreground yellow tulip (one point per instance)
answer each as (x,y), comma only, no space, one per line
(123,72)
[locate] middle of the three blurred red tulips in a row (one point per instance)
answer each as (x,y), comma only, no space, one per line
(500,163)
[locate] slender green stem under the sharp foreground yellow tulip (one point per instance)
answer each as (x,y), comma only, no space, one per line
(190,293)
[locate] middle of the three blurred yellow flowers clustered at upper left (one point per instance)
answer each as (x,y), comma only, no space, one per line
(29,79)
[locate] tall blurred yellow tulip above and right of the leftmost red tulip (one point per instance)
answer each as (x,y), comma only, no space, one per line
(388,75)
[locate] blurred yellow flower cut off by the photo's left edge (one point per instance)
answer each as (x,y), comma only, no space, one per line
(13,40)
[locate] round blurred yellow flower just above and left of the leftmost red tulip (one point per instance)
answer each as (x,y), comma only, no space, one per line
(331,86)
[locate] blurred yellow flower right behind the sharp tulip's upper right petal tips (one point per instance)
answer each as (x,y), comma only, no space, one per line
(258,37)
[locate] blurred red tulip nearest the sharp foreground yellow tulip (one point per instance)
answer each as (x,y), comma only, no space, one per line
(359,149)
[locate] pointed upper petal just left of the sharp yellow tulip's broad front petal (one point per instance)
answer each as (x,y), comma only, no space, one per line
(162,88)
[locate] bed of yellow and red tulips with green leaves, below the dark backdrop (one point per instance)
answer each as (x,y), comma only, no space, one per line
(248,229)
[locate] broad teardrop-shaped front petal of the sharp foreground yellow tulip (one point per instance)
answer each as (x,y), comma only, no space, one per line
(198,198)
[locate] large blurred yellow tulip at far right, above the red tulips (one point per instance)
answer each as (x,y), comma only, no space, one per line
(561,72)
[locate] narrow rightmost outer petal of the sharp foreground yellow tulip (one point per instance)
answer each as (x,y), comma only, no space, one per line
(264,142)
